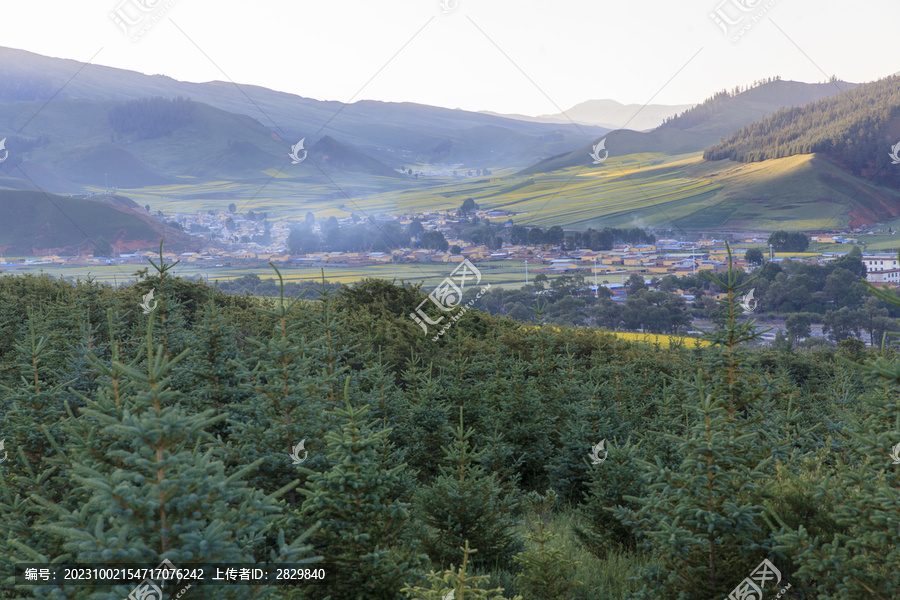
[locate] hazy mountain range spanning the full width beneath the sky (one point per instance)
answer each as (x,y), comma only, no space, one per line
(70,128)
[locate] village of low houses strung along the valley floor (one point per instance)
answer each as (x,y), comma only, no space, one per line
(229,243)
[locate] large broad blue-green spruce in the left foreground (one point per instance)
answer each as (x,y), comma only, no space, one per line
(152,486)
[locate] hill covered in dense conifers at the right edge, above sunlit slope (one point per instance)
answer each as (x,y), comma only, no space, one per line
(855,129)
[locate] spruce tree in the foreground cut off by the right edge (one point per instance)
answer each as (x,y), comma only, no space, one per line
(859,558)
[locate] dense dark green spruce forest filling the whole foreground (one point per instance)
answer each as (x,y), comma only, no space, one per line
(470,467)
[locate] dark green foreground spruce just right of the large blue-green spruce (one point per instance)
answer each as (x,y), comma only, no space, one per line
(362,522)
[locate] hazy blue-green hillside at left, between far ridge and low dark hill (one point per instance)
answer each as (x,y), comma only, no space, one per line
(88,147)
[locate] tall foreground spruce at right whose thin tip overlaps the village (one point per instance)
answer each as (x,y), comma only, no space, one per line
(701,523)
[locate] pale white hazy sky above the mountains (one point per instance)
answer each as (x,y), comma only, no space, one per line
(513,56)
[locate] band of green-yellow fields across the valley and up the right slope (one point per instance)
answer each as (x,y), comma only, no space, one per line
(680,192)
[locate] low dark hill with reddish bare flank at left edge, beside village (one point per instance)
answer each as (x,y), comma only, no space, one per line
(36,223)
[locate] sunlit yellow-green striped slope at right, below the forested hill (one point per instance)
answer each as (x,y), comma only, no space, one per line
(681,193)
